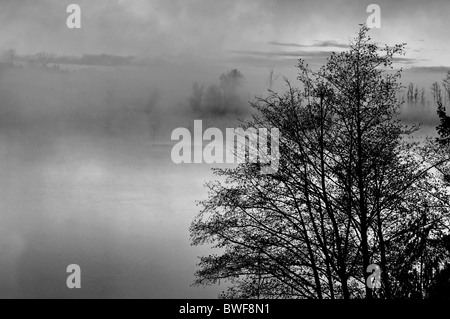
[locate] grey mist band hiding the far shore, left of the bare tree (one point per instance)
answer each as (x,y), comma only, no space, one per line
(114,102)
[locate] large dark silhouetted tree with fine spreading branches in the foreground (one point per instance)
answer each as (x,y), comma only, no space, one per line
(350,191)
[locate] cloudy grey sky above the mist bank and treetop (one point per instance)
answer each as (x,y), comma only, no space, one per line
(251,32)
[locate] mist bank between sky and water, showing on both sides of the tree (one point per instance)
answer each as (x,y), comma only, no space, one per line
(40,103)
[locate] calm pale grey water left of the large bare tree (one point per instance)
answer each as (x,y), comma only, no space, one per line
(118,208)
